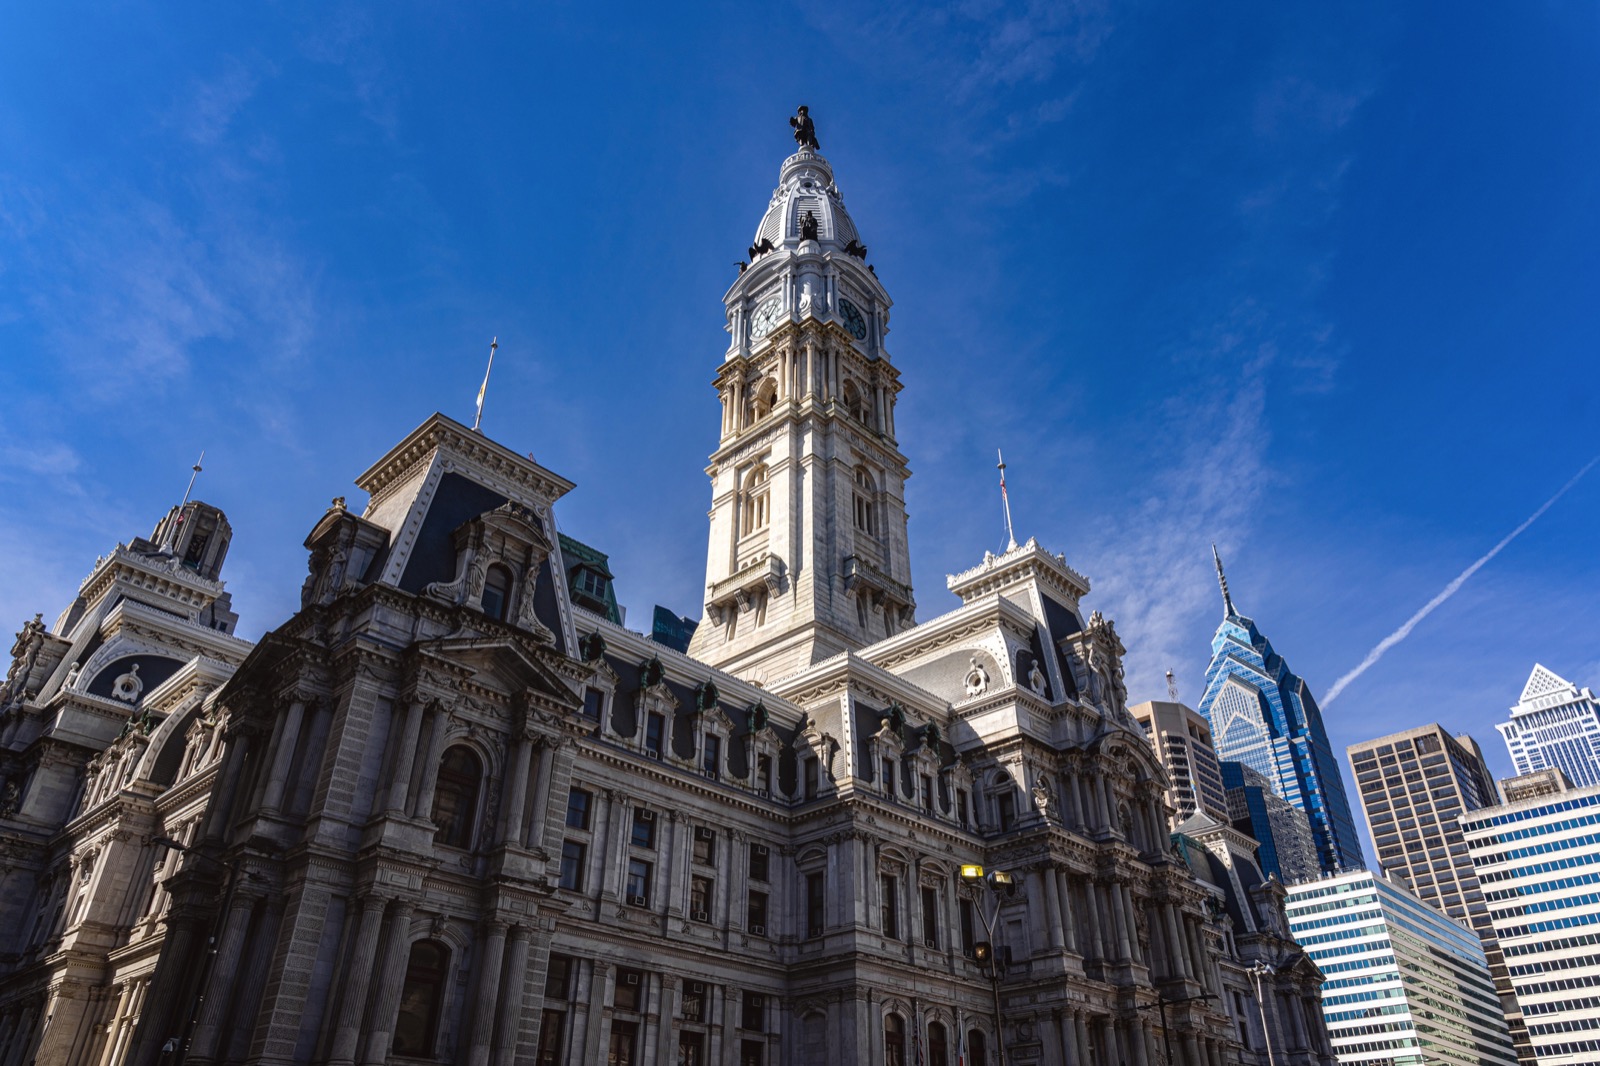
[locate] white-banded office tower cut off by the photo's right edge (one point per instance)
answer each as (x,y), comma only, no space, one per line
(1538,862)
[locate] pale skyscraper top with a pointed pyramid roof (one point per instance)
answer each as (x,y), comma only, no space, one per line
(1554,726)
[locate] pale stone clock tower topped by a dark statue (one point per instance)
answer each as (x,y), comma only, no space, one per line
(809,551)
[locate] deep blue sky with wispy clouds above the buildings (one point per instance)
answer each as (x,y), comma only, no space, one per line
(1314,283)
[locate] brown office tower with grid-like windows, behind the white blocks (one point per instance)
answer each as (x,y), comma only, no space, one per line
(1415,787)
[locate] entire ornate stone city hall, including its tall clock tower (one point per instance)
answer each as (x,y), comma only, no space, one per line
(455,812)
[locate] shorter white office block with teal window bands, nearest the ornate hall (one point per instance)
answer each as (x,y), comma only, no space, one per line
(1406,985)
